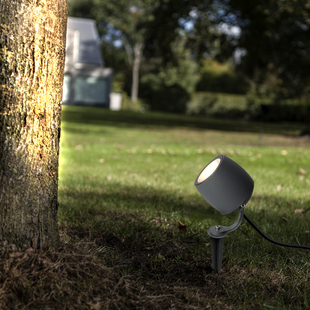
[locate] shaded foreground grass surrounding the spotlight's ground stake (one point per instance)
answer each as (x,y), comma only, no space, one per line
(163,267)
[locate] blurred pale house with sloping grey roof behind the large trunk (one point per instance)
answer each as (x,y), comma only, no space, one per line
(86,80)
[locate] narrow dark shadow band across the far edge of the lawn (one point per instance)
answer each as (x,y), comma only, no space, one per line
(88,115)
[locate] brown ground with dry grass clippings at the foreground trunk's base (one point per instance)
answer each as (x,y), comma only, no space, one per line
(73,277)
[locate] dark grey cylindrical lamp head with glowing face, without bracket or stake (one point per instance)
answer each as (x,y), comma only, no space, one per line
(224,185)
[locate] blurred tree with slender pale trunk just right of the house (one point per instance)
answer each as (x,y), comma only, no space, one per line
(126,19)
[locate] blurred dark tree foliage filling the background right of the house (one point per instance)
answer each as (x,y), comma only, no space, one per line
(266,41)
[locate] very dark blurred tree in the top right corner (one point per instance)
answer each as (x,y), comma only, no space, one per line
(274,40)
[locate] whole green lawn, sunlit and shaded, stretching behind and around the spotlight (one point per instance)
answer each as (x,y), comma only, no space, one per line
(126,179)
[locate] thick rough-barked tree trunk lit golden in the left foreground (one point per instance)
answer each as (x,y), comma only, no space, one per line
(32,51)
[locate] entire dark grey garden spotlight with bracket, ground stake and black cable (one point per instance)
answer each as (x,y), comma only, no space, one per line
(227,187)
